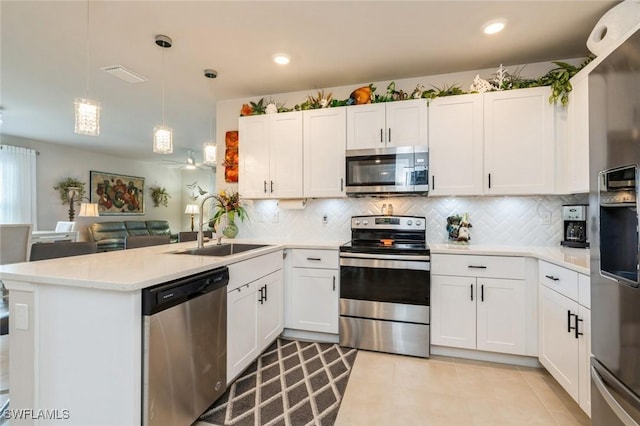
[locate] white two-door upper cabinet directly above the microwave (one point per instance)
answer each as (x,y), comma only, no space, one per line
(382,125)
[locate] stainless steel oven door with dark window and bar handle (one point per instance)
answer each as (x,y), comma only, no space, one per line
(388,287)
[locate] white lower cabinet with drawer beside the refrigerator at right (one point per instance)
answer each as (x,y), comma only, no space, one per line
(565,331)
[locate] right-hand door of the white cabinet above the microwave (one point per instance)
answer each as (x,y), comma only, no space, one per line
(407,123)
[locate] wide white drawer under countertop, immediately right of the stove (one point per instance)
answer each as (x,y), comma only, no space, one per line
(478,266)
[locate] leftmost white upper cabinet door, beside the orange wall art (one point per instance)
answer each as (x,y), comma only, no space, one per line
(253,179)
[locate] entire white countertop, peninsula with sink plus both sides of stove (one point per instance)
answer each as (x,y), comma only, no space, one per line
(132,270)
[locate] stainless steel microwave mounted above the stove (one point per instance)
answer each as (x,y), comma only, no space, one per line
(387,171)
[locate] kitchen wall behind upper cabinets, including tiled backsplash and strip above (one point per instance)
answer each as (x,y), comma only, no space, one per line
(495,220)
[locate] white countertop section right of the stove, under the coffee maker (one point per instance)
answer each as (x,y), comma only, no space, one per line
(570,258)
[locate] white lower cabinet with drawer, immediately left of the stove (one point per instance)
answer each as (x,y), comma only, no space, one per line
(312,295)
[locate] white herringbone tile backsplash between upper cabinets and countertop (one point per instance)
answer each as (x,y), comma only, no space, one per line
(495,220)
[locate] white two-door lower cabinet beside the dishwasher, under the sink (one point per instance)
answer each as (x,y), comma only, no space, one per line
(254,310)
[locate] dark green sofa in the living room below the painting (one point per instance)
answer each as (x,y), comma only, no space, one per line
(110,236)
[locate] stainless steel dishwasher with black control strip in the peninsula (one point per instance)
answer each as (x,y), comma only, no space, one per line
(184,347)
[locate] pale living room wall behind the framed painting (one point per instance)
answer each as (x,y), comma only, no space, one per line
(55,163)
